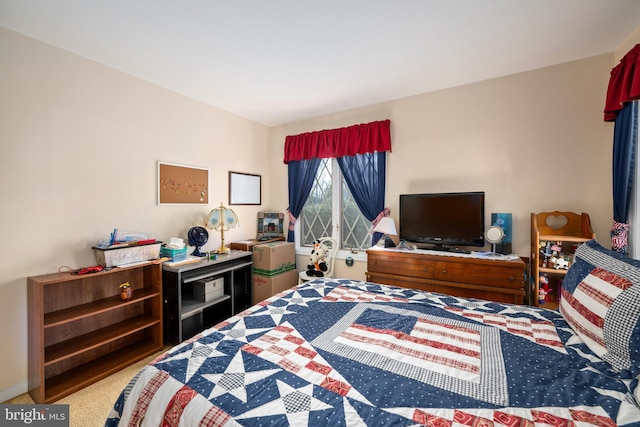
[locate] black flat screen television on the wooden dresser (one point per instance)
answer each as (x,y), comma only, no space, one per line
(442,221)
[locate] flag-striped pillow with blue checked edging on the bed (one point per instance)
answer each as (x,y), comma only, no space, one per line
(601,302)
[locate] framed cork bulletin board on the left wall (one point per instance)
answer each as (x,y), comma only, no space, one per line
(182,184)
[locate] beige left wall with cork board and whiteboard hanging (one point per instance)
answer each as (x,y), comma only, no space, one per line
(79,144)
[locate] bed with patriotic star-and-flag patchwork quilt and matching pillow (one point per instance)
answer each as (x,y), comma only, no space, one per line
(350,353)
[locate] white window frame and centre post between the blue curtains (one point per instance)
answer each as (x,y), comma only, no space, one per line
(336,219)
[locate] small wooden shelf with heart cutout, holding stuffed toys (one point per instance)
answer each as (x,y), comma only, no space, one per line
(550,227)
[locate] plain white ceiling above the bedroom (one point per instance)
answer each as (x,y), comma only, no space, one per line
(280,61)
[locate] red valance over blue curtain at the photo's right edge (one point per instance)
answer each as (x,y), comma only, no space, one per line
(624,84)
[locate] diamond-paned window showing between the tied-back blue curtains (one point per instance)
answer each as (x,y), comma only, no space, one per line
(329,203)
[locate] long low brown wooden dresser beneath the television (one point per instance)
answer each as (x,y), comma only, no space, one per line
(464,276)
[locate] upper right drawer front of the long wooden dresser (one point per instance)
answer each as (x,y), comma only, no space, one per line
(480,274)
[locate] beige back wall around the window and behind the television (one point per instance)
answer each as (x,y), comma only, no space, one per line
(533,141)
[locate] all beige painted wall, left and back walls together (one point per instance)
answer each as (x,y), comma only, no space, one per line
(79,144)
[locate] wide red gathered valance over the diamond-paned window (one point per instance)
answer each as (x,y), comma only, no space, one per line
(348,141)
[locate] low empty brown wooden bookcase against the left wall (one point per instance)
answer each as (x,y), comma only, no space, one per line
(80,331)
